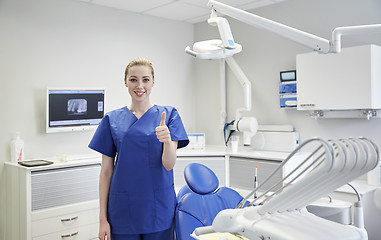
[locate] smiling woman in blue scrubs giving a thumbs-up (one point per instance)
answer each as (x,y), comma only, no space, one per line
(136,192)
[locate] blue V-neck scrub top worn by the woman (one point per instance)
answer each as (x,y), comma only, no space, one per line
(142,198)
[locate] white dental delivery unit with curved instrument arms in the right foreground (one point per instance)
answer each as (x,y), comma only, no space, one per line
(282,214)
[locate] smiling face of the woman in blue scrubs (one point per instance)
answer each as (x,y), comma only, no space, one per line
(139,81)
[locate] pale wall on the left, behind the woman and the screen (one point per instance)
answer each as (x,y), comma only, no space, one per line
(70,43)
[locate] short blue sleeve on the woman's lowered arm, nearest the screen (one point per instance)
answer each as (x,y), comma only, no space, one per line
(102,140)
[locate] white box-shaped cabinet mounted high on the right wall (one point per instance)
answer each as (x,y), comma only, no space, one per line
(350,80)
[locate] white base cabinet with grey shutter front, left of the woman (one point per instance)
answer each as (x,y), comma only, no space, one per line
(56,202)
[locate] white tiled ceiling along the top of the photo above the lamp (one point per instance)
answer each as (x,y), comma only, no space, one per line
(191,11)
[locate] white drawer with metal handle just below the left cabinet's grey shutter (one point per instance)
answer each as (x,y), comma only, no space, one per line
(64,222)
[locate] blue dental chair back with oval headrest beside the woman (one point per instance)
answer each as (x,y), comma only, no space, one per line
(200,200)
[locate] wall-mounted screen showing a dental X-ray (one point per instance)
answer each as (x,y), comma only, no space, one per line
(74,109)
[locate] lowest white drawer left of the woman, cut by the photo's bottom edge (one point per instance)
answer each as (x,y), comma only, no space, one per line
(86,232)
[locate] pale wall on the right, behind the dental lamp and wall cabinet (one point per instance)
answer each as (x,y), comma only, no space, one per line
(265,54)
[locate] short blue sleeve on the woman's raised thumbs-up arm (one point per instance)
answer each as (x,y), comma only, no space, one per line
(177,129)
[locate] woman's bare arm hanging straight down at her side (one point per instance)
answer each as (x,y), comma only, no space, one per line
(104,186)
